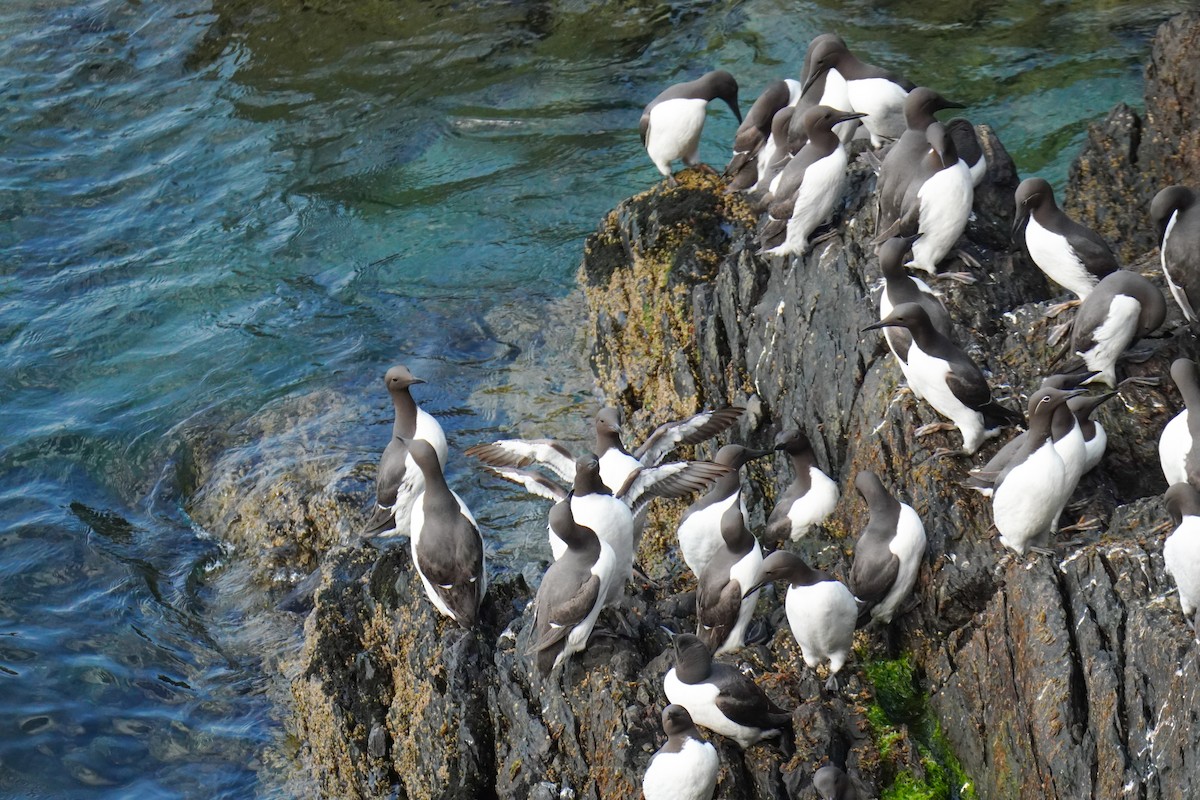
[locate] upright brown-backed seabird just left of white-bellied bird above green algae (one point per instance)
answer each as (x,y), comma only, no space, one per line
(728,592)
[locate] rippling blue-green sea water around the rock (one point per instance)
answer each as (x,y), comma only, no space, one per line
(207,208)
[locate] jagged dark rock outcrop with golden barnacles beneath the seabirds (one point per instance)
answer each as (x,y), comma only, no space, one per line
(1061,677)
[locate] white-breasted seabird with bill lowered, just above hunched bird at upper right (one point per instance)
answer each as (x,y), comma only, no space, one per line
(1071,255)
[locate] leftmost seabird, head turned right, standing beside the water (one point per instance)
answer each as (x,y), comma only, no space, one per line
(399,480)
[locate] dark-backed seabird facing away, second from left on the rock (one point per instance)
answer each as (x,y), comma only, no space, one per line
(448,551)
